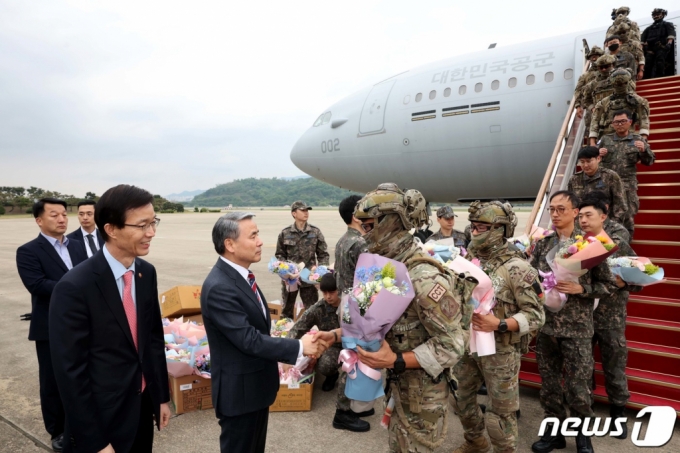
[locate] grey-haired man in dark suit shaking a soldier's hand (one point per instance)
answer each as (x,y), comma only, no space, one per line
(244,366)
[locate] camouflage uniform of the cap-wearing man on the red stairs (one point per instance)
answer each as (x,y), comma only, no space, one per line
(622,157)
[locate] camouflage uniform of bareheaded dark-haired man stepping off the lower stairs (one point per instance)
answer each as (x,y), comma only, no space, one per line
(606,181)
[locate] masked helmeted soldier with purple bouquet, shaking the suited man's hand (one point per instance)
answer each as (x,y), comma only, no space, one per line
(428,339)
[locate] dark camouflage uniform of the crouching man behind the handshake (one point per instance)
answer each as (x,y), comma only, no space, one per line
(325,317)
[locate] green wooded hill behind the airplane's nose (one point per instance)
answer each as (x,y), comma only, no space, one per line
(271,192)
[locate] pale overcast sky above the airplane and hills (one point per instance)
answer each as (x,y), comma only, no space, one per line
(175,96)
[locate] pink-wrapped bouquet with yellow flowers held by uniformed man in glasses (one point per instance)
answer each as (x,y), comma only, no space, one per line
(571,259)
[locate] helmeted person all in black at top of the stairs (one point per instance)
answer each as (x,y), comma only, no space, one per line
(657,40)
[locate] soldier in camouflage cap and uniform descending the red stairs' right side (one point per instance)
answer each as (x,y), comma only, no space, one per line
(621,151)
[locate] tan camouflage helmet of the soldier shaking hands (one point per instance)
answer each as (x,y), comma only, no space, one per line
(389,199)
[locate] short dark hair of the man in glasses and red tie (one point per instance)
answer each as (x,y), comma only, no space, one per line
(113,205)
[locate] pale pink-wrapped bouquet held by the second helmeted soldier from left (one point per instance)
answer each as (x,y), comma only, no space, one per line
(483,299)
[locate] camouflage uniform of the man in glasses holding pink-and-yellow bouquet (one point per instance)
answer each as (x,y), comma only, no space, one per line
(563,346)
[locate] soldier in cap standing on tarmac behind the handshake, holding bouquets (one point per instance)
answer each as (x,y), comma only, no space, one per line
(301,242)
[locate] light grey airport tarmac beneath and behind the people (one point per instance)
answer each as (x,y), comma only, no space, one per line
(183,254)
